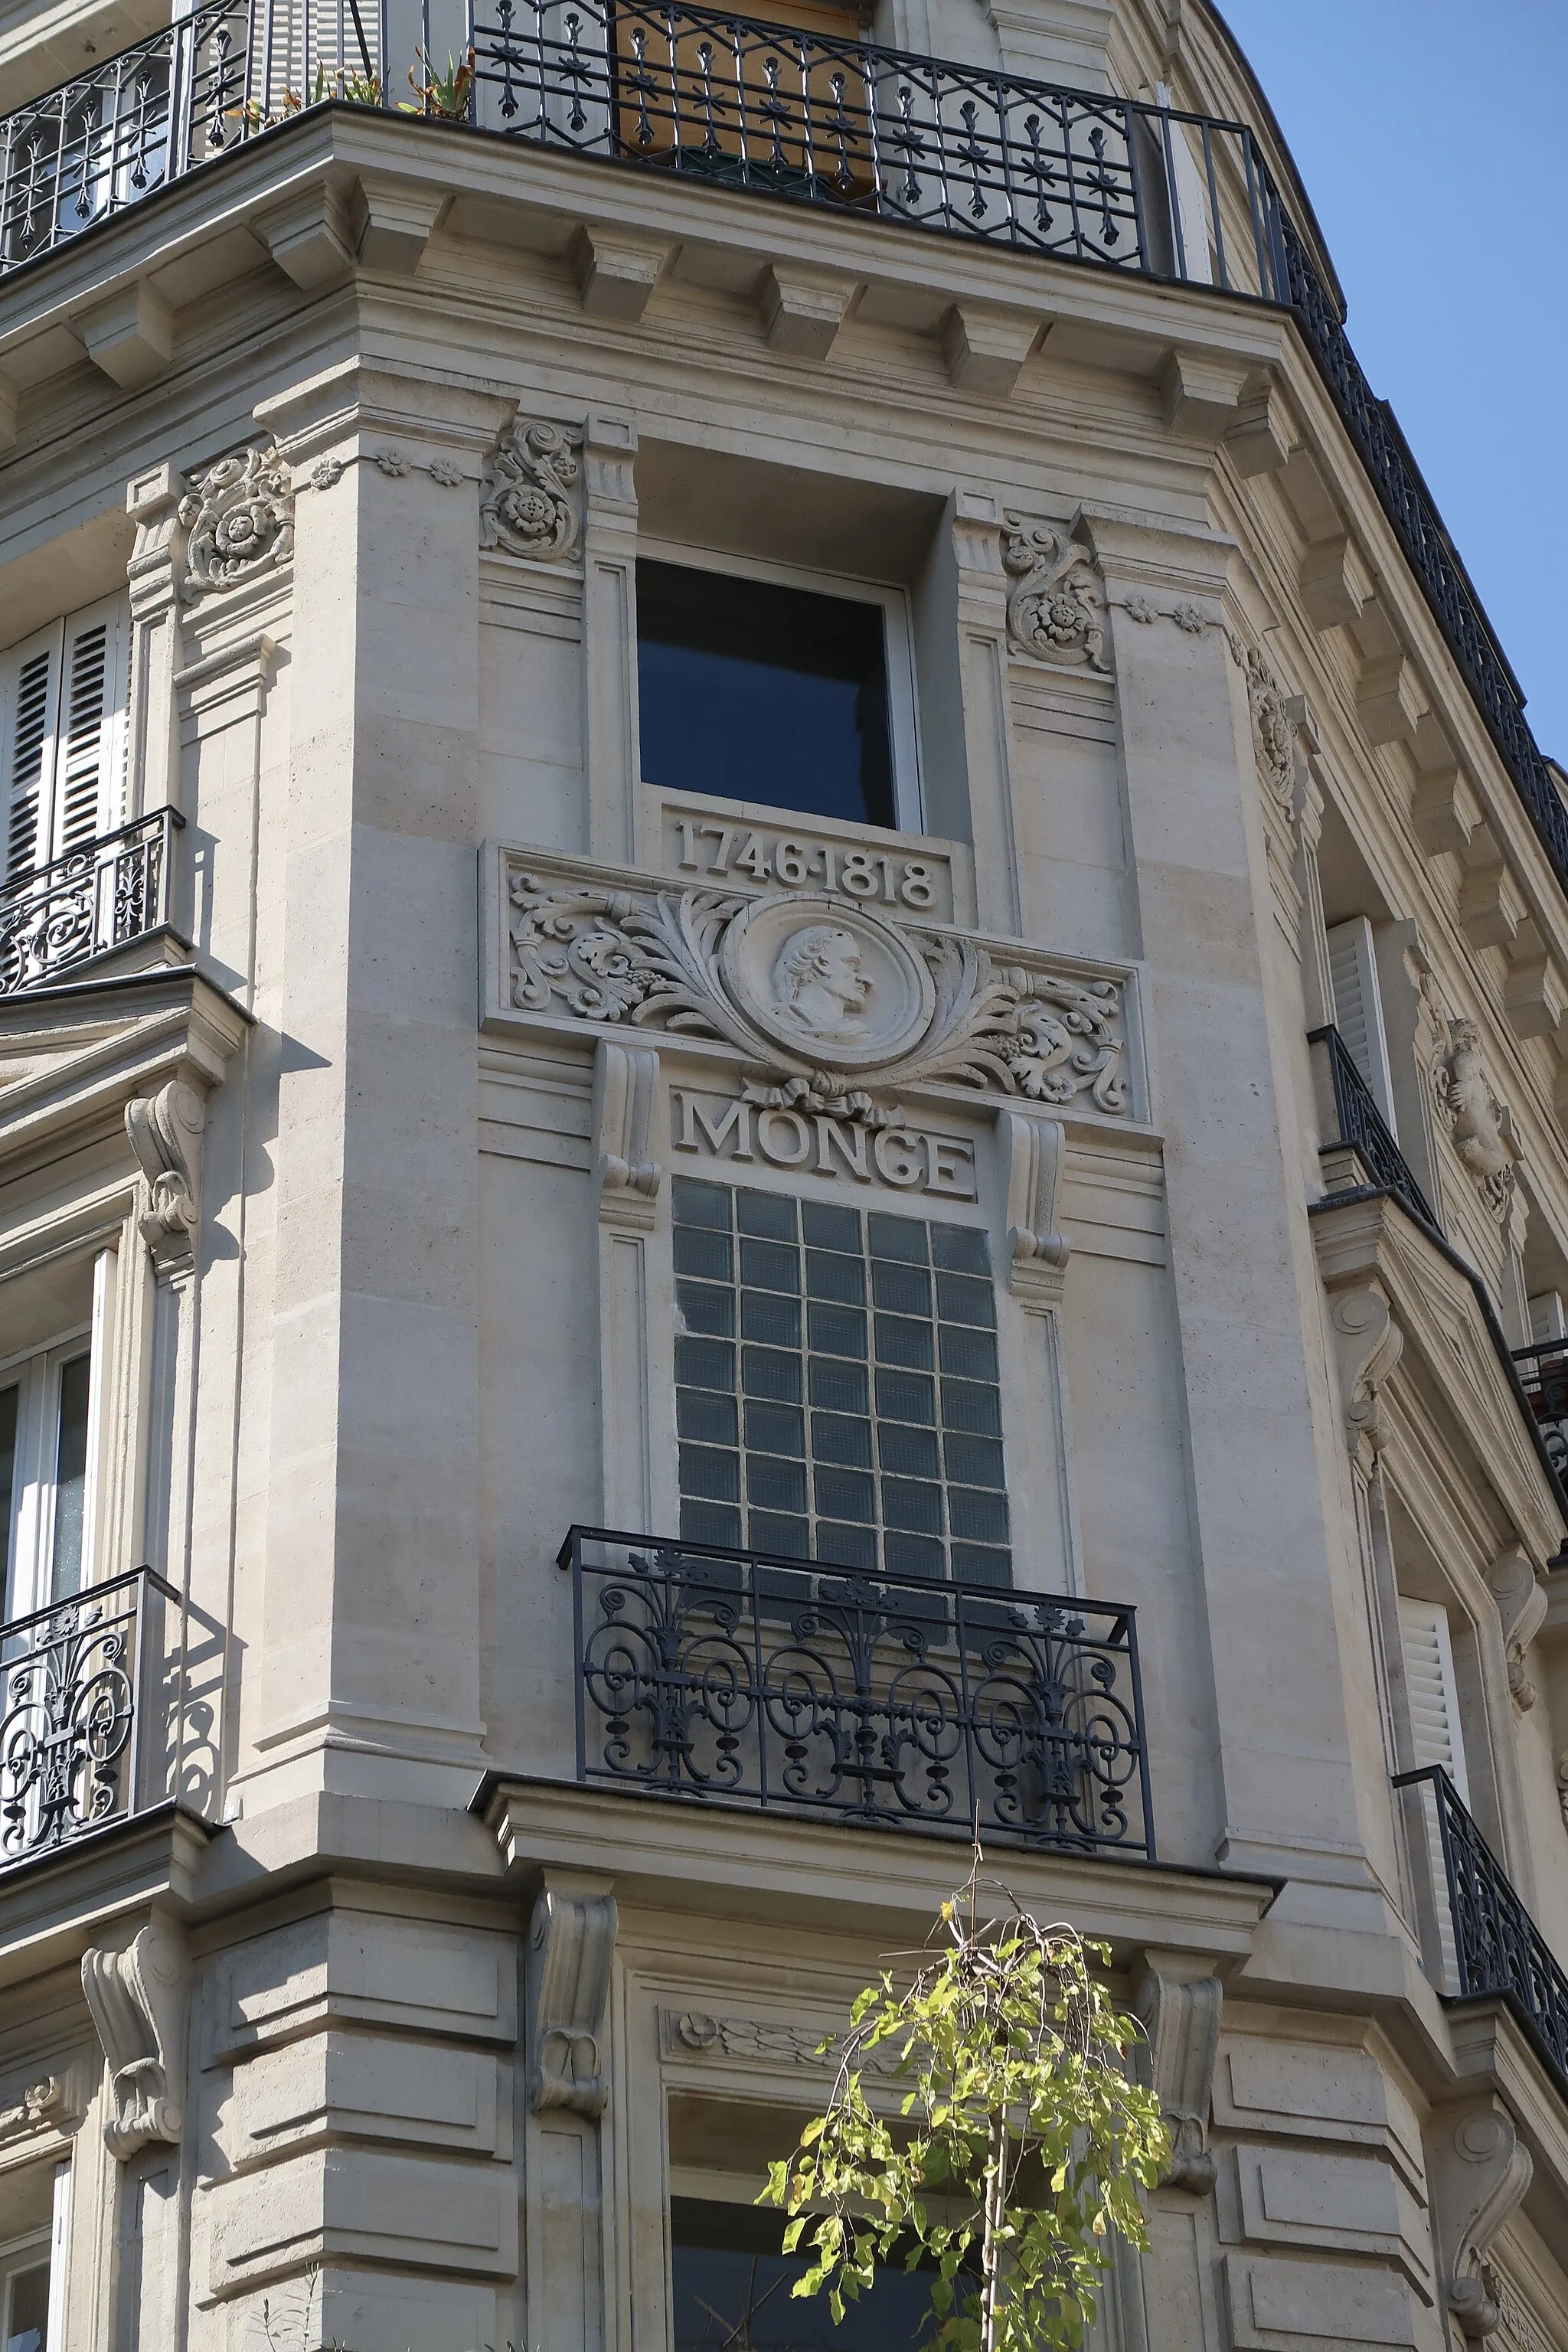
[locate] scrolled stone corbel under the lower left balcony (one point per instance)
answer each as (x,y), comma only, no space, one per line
(140,2005)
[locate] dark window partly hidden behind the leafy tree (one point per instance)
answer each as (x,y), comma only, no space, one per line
(732,2292)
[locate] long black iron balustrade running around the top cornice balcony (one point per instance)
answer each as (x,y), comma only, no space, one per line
(725,100)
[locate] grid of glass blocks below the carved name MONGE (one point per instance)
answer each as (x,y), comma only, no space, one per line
(836,1387)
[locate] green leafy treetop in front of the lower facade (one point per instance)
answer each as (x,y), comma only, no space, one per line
(1019,2151)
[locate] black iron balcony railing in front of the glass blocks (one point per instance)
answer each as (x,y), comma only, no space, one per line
(746,1681)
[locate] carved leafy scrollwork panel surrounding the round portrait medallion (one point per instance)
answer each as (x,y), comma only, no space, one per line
(657,963)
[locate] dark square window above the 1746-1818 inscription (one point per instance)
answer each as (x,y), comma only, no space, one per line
(775,695)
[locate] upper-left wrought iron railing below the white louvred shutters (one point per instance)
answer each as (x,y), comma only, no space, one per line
(98,897)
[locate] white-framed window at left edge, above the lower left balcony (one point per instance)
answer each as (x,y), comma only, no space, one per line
(46,1445)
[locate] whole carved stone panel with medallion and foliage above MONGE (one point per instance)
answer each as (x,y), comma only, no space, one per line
(812,989)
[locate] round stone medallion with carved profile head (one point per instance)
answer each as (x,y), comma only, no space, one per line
(826,980)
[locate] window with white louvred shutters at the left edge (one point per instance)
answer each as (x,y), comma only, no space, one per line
(62,737)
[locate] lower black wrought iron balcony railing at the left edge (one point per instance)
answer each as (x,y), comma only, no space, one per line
(112,1706)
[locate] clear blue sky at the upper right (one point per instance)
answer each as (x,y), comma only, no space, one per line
(1430,138)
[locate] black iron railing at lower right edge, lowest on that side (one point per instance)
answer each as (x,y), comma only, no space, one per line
(1499,1953)
